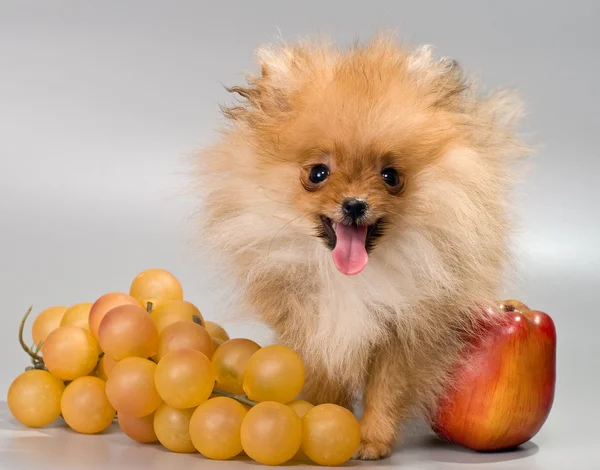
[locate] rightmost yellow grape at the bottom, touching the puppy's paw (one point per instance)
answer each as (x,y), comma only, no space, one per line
(330,434)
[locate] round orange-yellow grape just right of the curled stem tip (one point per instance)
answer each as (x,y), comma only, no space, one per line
(70,352)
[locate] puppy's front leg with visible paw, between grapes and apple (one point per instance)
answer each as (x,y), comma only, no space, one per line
(385,405)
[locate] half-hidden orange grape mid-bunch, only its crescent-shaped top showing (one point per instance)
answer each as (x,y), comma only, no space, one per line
(184,334)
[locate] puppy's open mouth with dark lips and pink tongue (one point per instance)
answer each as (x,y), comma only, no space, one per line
(350,243)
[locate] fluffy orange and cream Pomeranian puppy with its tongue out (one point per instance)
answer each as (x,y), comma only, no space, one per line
(361,198)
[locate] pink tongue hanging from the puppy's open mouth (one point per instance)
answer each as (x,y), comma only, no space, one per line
(350,255)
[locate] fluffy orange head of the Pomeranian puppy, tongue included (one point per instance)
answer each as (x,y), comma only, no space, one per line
(349,149)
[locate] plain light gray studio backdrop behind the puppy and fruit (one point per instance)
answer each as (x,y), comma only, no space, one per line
(101,101)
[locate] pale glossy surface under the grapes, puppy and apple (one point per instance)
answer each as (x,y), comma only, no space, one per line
(60,448)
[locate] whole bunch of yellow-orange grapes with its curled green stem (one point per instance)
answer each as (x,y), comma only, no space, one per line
(151,361)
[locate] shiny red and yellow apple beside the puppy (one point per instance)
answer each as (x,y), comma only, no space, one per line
(503,388)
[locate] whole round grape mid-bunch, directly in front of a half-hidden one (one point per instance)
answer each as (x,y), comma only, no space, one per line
(184,378)
